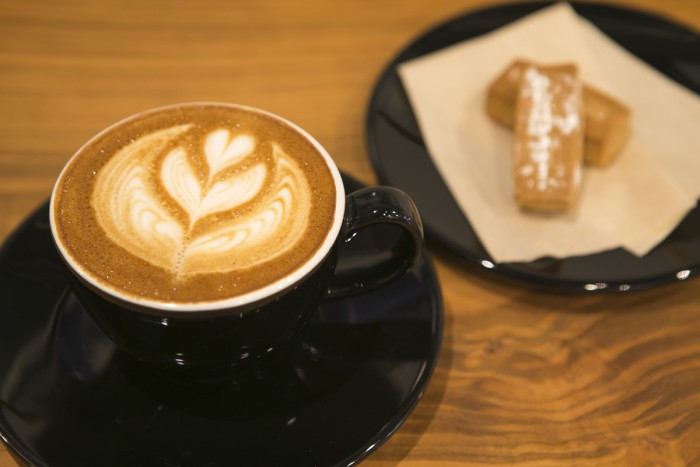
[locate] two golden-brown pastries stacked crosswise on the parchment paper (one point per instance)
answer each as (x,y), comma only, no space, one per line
(559,124)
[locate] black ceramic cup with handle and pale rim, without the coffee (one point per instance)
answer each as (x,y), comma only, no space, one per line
(219,339)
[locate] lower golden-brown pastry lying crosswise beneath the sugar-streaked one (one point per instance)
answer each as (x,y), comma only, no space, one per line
(607,125)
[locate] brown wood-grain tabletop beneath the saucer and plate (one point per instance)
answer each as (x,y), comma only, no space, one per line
(525,377)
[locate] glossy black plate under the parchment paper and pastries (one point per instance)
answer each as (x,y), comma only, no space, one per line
(400,158)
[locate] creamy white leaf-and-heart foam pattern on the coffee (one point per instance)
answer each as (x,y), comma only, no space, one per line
(131,207)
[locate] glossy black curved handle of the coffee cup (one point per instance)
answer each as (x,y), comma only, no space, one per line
(371,257)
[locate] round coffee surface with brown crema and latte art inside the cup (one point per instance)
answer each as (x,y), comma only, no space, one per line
(194,203)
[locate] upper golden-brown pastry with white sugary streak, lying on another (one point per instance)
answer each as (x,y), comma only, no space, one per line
(548,138)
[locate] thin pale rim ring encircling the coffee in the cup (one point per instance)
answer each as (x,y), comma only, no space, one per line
(261,294)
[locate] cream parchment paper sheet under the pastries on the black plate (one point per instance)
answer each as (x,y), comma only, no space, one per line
(635,203)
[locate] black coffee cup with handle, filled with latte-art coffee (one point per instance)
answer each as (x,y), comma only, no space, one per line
(201,237)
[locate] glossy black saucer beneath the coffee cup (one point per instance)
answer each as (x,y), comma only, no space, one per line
(67,397)
